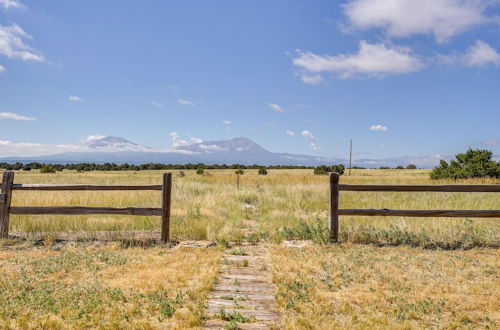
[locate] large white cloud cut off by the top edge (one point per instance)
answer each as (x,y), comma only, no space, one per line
(403,18)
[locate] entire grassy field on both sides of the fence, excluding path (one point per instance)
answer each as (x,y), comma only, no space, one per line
(405,273)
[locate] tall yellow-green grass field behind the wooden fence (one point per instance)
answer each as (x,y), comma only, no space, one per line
(288,204)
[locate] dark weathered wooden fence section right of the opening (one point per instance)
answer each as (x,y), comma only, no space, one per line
(335,189)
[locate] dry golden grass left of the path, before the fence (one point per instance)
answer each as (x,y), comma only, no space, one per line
(92,286)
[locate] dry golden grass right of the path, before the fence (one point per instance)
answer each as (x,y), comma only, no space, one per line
(365,287)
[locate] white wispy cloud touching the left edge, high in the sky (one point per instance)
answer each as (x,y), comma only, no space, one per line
(12,44)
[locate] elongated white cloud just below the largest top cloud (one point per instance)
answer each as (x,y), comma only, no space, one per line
(373,60)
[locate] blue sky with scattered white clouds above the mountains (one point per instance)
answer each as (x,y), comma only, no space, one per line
(398,77)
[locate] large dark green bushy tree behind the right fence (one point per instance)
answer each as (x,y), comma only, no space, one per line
(477,163)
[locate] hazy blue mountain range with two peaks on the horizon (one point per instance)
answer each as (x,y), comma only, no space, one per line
(238,150)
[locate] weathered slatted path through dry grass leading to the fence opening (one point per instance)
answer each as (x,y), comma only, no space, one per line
(243,296)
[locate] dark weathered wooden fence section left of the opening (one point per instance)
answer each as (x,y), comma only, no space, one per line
(8,186)
